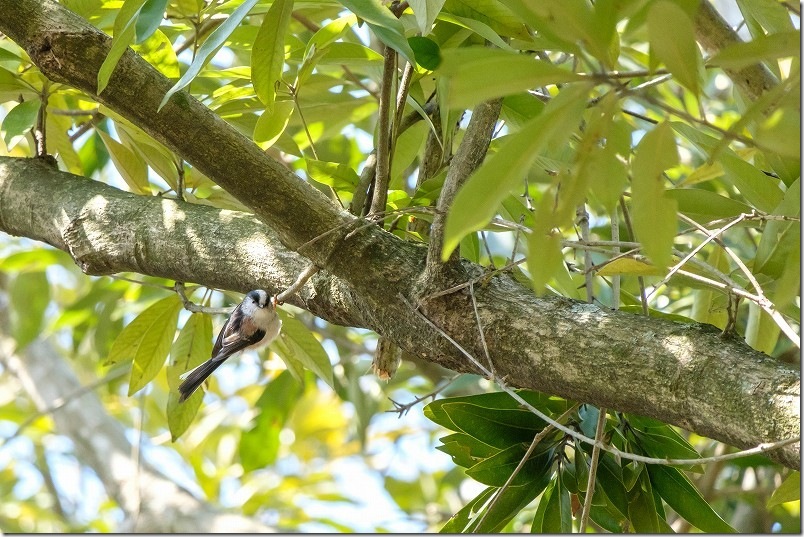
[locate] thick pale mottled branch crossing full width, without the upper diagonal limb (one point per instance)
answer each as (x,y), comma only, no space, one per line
(679,373)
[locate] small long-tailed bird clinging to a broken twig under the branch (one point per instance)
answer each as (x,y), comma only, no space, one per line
(253,323)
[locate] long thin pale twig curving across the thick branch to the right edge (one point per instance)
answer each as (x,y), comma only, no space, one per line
(762,448)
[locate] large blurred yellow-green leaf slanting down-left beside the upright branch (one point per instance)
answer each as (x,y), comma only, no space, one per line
(478,200)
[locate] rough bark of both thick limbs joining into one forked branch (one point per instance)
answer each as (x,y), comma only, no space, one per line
(682,374)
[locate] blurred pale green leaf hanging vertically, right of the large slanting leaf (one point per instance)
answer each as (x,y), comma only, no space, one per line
(653,214)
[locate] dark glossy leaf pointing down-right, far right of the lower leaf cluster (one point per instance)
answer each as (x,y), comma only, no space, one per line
(675,489)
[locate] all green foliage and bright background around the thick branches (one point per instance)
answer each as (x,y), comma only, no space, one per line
(608,105)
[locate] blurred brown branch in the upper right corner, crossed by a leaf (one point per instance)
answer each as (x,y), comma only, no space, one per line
(714,33)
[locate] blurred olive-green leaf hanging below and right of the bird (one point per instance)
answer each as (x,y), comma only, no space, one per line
(259,446)
